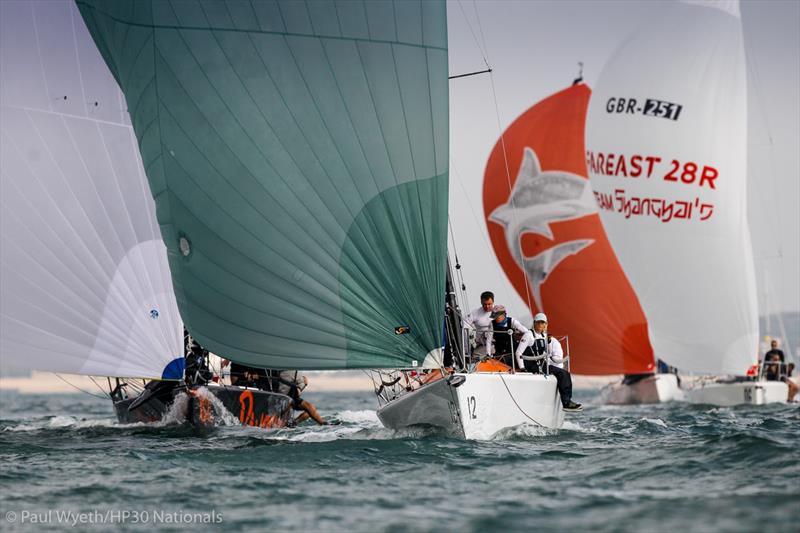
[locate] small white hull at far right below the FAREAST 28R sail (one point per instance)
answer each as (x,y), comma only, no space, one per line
(740,393)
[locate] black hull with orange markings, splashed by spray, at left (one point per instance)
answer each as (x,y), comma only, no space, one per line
(214,405)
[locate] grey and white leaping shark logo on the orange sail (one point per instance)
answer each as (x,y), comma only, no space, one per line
(538,199)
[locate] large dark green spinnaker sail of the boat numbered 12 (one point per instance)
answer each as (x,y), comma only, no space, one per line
(298,155)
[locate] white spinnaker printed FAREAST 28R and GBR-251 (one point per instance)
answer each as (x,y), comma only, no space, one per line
(666,143)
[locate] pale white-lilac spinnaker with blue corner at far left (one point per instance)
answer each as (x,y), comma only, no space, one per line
(85,284)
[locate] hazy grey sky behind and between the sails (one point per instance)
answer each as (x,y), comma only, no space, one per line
(534,47)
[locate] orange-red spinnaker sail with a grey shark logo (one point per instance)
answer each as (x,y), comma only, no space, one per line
(542,220)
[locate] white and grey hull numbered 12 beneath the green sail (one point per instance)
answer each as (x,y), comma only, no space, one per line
(481,406)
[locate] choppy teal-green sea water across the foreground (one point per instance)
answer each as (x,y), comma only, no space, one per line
(650,468)
